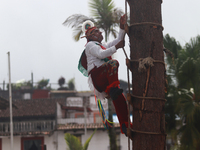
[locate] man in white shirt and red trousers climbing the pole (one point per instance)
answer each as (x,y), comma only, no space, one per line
(102,70)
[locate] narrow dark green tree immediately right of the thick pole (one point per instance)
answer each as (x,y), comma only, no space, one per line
(172,49)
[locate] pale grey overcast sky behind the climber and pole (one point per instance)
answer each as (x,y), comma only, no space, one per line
(32,31)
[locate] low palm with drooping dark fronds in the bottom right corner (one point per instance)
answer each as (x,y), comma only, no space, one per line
(190,113)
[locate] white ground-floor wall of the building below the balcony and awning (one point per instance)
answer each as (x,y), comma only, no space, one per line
(100,141)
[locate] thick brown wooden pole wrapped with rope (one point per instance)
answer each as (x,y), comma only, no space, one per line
(146,40)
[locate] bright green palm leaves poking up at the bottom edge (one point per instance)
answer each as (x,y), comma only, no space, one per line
(74,143)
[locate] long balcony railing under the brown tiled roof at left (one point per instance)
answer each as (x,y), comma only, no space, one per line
(28,126)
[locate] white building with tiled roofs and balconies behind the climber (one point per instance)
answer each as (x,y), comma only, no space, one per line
(40,124)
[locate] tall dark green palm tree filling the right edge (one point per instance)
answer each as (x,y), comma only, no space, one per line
(188,78)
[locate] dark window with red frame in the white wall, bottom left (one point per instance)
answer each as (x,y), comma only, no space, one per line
(32,143)
